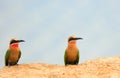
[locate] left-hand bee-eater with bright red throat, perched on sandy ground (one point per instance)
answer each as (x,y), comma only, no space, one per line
(13,54)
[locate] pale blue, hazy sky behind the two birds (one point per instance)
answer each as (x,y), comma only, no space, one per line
(45,25)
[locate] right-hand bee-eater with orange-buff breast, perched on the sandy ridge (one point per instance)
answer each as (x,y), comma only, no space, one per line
(71,55)
